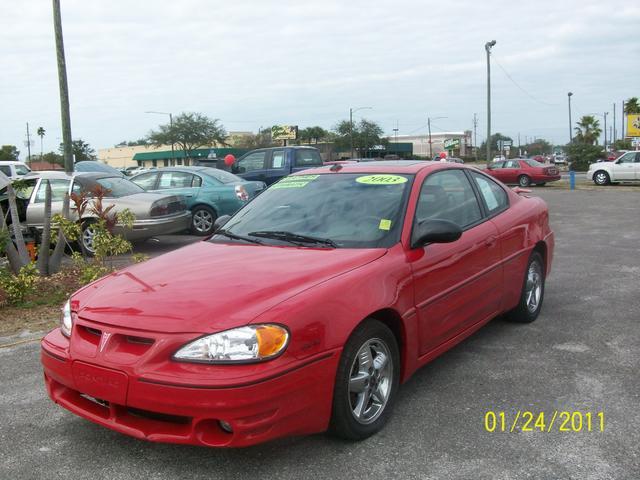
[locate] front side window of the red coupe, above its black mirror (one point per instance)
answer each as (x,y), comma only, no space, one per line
(448,195)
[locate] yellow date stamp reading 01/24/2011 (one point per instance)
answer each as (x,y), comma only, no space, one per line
(556,421)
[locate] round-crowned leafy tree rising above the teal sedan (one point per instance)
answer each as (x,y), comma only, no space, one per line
(190,131)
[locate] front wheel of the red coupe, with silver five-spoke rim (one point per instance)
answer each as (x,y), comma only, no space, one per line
(366,382)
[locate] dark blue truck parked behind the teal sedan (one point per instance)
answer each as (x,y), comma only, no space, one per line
(271,164)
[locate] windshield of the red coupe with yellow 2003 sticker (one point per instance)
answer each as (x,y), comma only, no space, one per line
(338,209)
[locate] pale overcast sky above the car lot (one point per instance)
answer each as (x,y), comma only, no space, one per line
(258,63)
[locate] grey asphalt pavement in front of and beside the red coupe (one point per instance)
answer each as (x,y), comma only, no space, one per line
(580,355)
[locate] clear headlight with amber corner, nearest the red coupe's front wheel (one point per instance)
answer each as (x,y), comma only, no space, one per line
(253,343)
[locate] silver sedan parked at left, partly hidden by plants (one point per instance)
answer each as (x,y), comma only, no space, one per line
(156,214)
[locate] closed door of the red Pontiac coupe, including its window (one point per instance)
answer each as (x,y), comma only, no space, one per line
(456,284)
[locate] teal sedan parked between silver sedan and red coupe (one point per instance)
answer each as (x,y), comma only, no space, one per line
(209,192)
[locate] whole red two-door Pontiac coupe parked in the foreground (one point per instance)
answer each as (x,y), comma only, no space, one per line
(304,311)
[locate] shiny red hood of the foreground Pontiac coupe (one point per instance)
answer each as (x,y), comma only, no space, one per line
(208,287)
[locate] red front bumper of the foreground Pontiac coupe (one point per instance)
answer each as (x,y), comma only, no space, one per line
(295,401)
